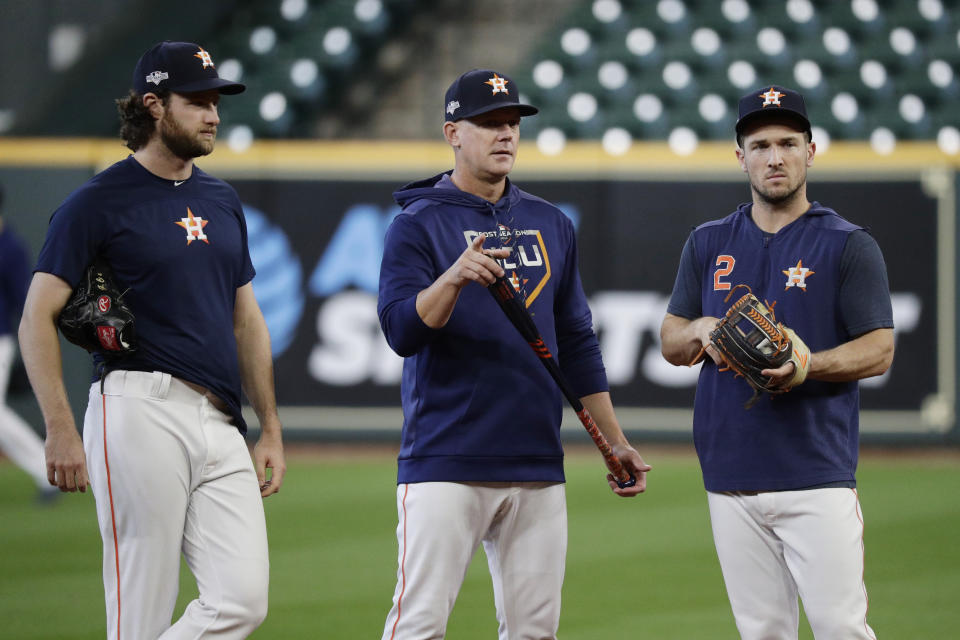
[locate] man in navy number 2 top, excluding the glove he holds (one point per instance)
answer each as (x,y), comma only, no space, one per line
(779,477)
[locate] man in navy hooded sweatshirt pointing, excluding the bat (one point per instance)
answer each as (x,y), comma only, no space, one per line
(481,460)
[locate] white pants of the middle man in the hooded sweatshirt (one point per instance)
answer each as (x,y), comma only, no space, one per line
(523,528)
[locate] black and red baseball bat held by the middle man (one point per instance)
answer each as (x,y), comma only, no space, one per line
(503,292)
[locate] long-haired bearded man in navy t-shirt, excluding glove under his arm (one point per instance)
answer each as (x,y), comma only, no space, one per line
(163,431)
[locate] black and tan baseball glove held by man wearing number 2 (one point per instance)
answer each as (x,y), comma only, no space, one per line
(749,340)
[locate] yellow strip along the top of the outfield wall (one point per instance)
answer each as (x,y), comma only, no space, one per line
(363,158)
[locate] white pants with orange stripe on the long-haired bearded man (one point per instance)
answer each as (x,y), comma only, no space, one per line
(171,475)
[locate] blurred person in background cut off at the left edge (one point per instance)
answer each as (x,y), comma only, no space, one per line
(18,440)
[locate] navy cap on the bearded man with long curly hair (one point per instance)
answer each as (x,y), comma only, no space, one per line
(180,67)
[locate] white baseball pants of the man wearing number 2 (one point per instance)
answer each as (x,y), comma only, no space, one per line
(774,546)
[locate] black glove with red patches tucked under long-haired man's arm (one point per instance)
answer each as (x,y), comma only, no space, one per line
(96,318)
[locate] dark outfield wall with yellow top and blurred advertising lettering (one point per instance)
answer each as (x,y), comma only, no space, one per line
(317,213)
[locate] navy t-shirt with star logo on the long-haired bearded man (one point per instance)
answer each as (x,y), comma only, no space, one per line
(181,249)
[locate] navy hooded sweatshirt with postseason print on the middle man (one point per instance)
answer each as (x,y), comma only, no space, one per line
(477,403)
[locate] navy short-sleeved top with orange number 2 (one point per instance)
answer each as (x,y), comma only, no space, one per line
(828,281)
